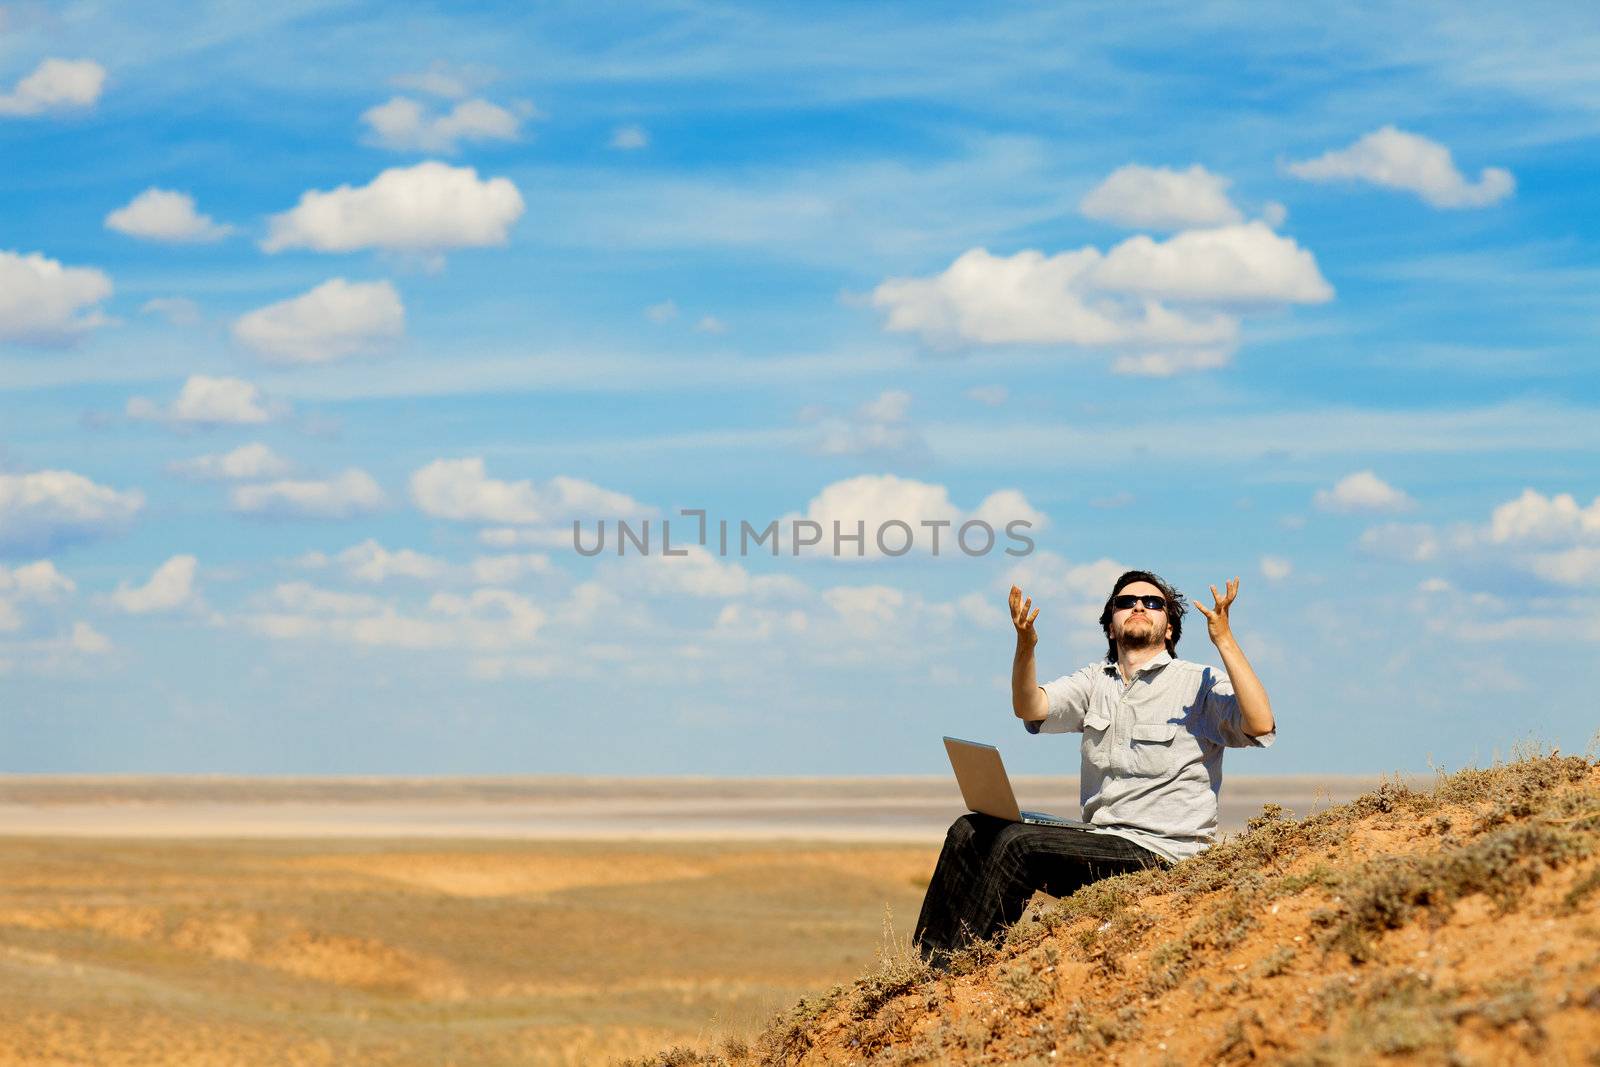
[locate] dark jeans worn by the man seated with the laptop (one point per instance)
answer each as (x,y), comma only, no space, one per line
(990,869)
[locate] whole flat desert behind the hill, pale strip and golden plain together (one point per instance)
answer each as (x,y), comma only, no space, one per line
(455,921)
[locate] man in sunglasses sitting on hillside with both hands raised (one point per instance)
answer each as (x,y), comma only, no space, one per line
(1154,729)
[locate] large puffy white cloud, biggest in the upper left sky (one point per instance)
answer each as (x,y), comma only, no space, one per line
(425,209)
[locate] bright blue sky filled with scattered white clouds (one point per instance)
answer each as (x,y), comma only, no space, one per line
(321,324)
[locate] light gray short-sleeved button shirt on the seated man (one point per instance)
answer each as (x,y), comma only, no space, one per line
(1153,751)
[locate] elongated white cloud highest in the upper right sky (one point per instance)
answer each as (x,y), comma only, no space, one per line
(1406,161)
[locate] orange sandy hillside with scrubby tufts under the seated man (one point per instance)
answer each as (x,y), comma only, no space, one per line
(1450,925)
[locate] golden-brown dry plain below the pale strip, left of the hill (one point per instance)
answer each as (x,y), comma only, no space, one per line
(210,954)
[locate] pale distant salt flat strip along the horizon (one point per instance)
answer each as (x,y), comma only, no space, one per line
(561,809)
